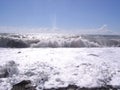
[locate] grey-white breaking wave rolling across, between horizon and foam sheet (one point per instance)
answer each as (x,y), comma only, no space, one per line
(58,40)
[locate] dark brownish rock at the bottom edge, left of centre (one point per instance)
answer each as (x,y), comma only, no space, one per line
(23,85)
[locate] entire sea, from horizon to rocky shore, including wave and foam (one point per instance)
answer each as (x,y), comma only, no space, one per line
(58,60)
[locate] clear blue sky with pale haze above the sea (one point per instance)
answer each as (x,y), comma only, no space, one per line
(69,15)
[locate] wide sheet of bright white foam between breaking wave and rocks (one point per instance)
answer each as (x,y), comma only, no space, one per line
(58,67)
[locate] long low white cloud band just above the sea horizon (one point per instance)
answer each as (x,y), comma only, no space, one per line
(101,30)
